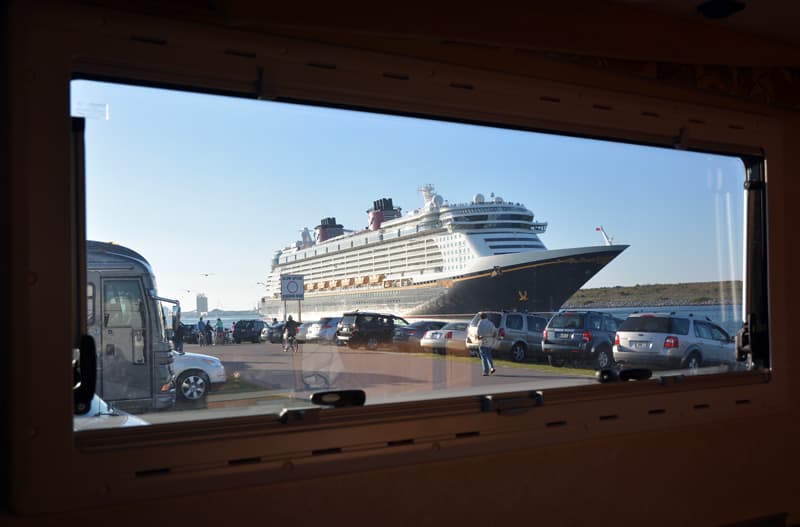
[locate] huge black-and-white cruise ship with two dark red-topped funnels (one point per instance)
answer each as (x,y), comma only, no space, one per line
(443,259)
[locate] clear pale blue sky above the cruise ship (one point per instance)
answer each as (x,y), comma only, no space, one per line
(208,187)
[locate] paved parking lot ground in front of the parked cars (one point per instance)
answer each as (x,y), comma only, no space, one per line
(384,375)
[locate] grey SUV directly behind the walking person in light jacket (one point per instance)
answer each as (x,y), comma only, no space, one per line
(519,335)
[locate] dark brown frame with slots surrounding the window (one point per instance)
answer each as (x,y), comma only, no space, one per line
(110,462)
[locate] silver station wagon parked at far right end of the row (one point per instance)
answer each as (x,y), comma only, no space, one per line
(666,341)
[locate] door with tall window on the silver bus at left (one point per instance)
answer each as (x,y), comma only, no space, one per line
(123,343)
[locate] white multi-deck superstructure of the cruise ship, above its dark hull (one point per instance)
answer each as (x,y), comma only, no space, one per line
(436,241)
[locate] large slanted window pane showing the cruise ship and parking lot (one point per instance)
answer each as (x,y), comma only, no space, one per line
(421,219)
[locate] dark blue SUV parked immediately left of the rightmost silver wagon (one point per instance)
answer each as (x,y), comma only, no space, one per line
(582,336)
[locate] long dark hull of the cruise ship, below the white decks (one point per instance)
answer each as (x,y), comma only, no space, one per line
(539,282)
